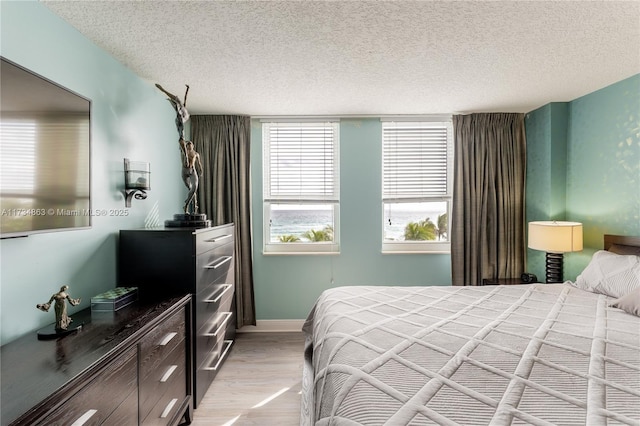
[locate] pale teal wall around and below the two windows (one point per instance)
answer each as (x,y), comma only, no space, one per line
(287,285)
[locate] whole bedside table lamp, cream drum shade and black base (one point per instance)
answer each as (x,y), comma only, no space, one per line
(555,238)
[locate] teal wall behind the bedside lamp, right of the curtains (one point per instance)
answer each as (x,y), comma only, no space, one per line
(583,165)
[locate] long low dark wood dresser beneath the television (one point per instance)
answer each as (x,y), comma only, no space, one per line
(131,367)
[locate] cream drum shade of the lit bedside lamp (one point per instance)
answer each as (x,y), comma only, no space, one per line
(555,237)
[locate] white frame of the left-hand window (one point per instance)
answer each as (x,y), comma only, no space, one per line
(268,198)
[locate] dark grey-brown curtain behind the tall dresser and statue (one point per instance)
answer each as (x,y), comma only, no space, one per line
(223,143)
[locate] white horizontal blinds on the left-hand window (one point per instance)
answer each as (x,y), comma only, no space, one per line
(301,161)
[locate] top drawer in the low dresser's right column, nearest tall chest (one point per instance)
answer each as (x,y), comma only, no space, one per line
(160,342)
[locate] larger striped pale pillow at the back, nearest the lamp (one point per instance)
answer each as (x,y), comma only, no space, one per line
(612,274)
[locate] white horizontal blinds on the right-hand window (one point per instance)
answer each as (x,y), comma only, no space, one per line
(415,160)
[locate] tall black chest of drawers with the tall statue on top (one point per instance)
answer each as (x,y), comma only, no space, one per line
(167,261)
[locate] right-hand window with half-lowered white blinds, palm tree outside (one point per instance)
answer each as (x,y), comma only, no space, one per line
(416,185)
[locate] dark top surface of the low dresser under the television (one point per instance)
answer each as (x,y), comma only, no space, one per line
(34,369)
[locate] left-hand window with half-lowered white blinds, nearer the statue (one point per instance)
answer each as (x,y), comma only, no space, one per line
(301,187)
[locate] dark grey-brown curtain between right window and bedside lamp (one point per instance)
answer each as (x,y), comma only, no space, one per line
(488,216)
